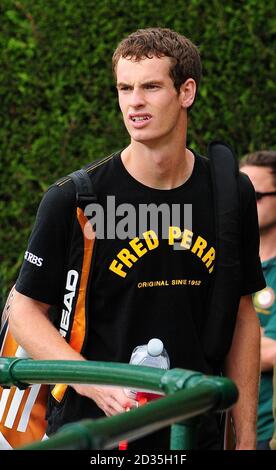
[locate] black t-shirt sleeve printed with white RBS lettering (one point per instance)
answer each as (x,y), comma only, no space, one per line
(42,273)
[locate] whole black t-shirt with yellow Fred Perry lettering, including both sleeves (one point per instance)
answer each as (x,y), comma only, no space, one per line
(142,286)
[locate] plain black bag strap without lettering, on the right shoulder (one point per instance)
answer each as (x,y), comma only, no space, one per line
(225,296)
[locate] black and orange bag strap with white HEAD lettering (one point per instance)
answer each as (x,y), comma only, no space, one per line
(74,318)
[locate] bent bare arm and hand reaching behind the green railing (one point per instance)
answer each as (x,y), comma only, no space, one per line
(32,329)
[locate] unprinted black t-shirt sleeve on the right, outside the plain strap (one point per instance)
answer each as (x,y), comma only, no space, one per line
(252,274)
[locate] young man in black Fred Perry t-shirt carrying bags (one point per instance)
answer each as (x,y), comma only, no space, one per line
(145,283)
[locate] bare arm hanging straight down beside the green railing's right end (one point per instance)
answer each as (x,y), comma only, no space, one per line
(243,367)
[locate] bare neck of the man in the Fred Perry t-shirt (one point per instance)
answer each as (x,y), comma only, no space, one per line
(160,168)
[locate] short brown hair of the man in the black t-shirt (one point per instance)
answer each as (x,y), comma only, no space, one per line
(160,42)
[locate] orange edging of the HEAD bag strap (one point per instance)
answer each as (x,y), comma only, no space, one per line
(78,328)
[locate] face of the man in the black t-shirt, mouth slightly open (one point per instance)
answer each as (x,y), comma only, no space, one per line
(150,104)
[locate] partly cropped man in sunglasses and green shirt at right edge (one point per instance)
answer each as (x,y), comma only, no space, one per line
(261,169)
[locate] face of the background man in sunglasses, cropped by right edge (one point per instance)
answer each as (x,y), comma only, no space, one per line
(263,182)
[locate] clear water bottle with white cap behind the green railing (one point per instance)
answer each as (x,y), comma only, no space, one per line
(152,354)
